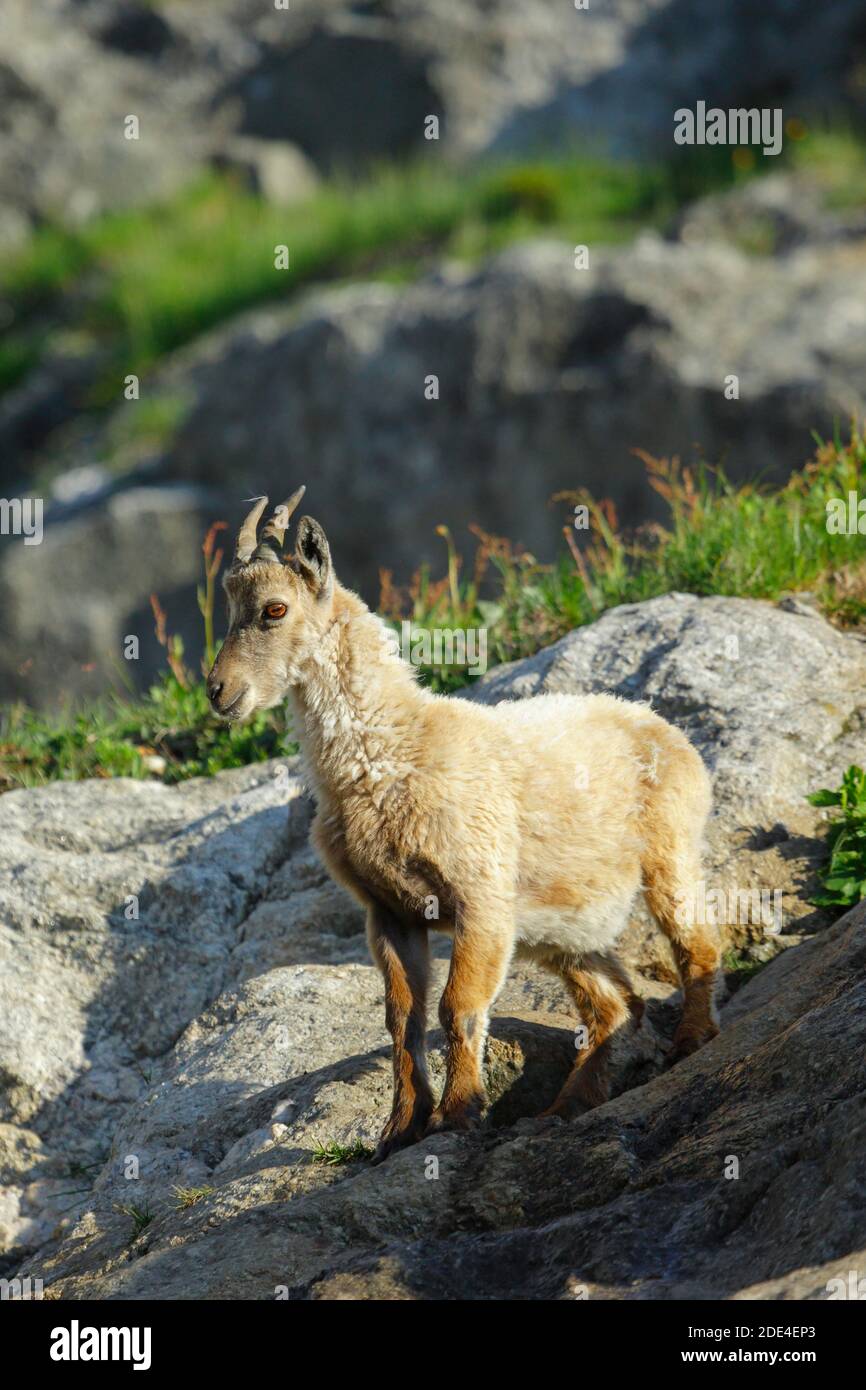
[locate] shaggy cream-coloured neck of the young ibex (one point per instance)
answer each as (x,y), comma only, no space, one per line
(357,708)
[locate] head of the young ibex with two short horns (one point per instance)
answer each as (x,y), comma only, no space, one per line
(279,611)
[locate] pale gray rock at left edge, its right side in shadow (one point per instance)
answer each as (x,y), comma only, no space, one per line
(120,907)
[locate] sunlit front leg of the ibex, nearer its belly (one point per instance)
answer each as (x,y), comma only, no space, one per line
(479,965)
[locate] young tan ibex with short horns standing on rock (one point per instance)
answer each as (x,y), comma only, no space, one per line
(422,799)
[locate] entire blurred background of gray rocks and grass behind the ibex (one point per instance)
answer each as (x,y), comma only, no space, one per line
(409,259)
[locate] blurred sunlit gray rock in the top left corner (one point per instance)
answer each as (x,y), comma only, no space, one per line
(65,154)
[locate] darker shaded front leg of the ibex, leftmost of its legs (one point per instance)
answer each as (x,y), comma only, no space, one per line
(402,956)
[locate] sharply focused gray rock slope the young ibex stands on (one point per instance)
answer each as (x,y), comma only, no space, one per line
(184,1064)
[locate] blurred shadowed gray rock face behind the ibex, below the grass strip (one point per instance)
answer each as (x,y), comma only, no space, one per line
(548,379)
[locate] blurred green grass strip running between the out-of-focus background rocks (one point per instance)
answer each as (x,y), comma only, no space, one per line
(142,283)
